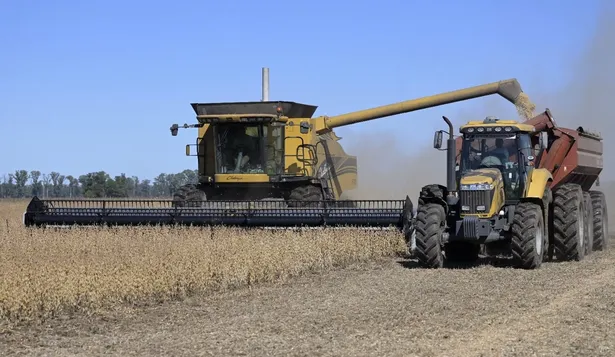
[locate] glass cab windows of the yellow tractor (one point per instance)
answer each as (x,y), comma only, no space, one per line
(500,152)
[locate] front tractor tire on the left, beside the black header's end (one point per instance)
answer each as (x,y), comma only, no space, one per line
(429,226)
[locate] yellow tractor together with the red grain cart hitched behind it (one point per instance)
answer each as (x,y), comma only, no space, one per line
(518,189)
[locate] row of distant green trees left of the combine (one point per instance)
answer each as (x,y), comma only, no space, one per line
(23,183)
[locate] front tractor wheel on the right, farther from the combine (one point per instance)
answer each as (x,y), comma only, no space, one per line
(528,235)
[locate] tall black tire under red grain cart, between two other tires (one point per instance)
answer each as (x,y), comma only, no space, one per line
(569,223)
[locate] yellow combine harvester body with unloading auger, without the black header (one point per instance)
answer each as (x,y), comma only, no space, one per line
(276,150)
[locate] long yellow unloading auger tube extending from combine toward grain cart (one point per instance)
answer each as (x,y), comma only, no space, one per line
(510,89)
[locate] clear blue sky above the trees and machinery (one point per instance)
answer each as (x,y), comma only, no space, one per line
(91,85)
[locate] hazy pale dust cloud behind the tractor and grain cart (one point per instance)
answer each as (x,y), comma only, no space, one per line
(391,171)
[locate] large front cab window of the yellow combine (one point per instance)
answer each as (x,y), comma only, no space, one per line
(248,149)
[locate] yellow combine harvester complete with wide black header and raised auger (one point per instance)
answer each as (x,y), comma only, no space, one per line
(265,164)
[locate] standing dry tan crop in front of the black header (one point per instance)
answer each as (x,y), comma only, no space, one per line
(44,273)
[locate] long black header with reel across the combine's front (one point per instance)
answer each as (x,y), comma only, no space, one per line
(374,214)
